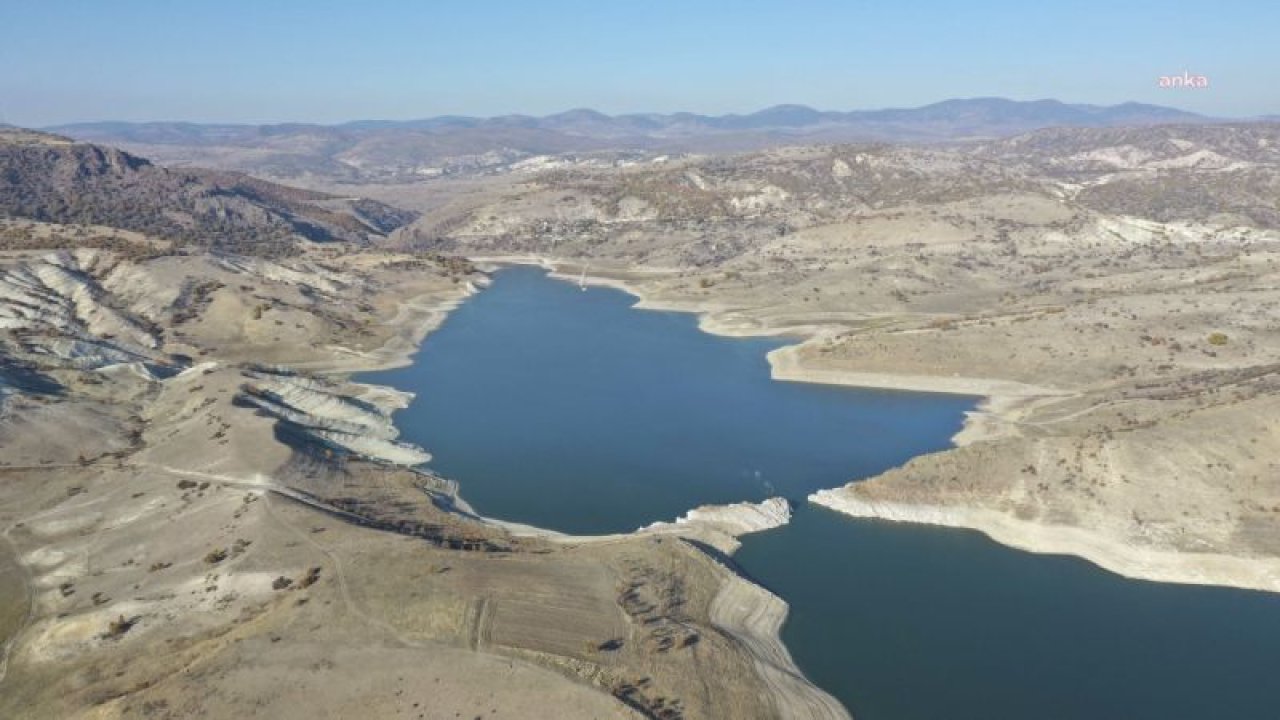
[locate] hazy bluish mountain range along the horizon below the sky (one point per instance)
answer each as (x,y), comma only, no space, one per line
(368,151)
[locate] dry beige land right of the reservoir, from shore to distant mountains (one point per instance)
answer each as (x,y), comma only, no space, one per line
(1112,294)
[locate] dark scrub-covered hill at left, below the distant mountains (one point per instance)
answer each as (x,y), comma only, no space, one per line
(53,179)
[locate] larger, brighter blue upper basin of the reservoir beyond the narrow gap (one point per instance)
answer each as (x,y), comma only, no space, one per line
(570,411)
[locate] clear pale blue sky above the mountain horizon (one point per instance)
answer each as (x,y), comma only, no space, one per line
(272,61)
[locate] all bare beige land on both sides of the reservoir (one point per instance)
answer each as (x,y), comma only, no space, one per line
(243,537)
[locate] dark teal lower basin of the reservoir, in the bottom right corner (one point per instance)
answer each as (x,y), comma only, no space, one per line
(917,623)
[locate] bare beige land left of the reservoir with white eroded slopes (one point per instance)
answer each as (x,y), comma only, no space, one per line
(204,517)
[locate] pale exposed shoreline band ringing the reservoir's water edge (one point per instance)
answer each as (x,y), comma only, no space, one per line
(755,616)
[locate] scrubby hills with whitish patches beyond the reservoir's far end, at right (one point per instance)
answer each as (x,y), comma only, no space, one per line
(701,211)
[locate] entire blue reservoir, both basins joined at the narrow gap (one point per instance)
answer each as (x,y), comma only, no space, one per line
(573,412)
